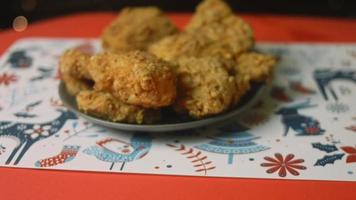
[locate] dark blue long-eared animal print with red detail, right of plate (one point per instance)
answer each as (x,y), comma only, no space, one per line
(303,125)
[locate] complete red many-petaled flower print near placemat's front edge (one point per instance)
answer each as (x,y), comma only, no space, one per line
(283,165)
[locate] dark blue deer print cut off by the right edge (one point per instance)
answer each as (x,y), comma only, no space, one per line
(324,78)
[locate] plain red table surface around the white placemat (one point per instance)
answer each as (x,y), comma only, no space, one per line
(47,184)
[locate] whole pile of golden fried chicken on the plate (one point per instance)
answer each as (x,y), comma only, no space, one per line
(148,65)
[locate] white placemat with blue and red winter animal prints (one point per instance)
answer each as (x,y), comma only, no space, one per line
(302,127)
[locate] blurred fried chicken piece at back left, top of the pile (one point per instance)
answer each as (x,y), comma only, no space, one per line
(136,28)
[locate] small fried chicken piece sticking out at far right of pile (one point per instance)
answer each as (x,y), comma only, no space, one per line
(255,66)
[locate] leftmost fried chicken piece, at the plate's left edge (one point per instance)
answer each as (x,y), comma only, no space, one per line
(72,66)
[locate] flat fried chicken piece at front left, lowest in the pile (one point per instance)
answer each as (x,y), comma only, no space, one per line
(105,106)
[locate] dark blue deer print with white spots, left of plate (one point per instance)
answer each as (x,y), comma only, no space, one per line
(28,134)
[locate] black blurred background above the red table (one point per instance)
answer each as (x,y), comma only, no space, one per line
(35,10)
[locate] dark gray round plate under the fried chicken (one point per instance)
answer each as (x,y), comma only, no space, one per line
(170,121)
